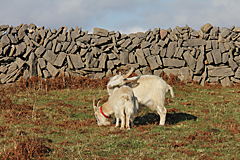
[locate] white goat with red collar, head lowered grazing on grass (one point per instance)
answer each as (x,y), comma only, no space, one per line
(122,102)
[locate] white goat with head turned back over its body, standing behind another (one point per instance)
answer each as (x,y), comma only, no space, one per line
(150,90)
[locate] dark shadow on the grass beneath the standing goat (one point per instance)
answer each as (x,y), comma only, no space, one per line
(171,119)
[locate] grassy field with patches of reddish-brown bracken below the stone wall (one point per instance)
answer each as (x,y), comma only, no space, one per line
(55,120)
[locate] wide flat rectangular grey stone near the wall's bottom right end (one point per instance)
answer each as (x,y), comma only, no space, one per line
(220,71)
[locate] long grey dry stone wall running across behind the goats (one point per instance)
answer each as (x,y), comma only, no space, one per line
(211,54)
